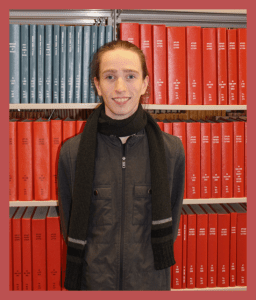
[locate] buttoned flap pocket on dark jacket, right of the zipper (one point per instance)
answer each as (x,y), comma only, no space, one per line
(142,205)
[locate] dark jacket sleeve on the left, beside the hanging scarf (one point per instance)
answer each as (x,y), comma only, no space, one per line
(64,190)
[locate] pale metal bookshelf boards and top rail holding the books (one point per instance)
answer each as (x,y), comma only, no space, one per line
(209,18)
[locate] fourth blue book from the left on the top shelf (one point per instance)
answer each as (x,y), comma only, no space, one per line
(40,64)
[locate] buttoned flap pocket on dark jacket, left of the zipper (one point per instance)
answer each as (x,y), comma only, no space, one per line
(102,205)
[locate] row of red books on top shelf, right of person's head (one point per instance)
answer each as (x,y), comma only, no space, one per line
(192,65)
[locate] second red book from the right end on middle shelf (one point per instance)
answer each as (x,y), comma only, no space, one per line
(227,147)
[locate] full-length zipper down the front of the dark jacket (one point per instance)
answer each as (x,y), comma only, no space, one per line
(122,214)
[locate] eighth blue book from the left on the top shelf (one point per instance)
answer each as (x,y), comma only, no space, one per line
(70,64)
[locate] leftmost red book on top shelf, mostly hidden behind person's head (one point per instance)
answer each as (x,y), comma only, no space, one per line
(130,32)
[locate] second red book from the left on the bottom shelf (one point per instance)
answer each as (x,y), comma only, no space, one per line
(26,234)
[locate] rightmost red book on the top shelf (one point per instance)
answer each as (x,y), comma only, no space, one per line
(242,65)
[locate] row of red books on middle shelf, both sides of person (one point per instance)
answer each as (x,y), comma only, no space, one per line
(216,157)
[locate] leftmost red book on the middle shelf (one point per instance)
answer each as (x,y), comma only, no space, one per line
(13,185)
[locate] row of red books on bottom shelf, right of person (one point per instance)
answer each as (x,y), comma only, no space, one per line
(210,249)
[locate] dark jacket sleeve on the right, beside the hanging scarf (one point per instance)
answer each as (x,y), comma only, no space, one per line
(178,186)
